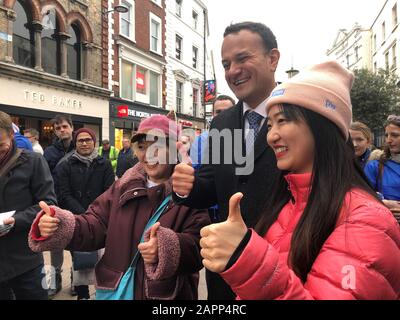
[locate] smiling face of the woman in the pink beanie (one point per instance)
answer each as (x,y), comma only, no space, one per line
(292,142)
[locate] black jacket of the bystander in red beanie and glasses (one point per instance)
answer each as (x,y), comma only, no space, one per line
(79,185)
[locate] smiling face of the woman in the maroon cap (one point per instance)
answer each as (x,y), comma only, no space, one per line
(155,160)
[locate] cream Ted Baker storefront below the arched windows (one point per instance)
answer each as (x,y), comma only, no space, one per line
(32,104)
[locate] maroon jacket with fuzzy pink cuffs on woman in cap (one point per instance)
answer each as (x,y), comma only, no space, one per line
(116,221)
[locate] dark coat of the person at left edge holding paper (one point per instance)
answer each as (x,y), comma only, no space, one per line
(26,183)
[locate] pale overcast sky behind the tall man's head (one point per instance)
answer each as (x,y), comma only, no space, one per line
(304,29)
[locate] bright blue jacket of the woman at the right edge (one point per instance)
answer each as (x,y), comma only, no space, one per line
(389,187)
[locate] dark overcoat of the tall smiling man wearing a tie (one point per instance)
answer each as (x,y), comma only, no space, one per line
(216,183)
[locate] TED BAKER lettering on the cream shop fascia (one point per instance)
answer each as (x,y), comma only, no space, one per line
(56,101)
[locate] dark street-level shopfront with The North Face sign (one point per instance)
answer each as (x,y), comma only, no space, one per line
(125,118)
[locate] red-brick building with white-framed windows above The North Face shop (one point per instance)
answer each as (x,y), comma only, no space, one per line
(136,69)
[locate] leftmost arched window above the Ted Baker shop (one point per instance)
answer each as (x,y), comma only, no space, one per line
(23,36)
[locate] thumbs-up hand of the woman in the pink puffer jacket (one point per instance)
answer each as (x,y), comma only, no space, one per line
(219,241)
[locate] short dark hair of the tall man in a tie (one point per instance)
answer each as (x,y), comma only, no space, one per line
(267,36)
